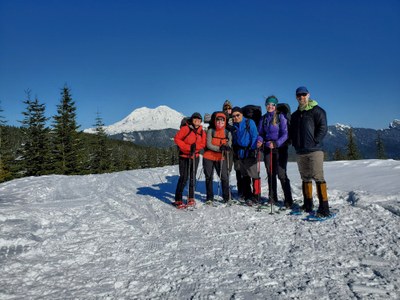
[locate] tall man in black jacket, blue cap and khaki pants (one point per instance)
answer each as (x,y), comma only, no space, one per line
(307,131)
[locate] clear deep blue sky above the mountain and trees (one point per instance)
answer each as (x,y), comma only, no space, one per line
(120,55)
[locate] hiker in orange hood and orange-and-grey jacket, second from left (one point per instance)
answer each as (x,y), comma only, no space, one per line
(215,157)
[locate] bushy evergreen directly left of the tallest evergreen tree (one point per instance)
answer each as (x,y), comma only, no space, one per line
(35,150)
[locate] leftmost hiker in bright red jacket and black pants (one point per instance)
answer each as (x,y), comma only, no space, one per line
(190,139)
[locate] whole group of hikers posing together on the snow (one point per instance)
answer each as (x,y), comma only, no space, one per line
(232,140)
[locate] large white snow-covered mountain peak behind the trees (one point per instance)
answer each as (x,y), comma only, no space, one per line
(144,119)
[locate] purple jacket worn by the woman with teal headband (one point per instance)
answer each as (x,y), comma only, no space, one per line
(267,132)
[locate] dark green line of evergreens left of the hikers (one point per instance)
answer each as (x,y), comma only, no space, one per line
(35,149)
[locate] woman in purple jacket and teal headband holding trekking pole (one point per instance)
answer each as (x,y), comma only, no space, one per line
(273,133)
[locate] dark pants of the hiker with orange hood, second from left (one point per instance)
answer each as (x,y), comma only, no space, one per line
(222,170)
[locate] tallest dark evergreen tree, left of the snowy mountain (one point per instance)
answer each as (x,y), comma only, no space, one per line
(66,139)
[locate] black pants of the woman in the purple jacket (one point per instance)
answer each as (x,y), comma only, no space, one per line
(279,166)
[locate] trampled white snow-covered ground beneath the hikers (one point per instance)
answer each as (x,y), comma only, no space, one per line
(115,236)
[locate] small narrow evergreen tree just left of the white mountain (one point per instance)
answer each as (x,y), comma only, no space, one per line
(101,158)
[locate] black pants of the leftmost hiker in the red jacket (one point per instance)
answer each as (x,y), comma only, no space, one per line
(186,172)
